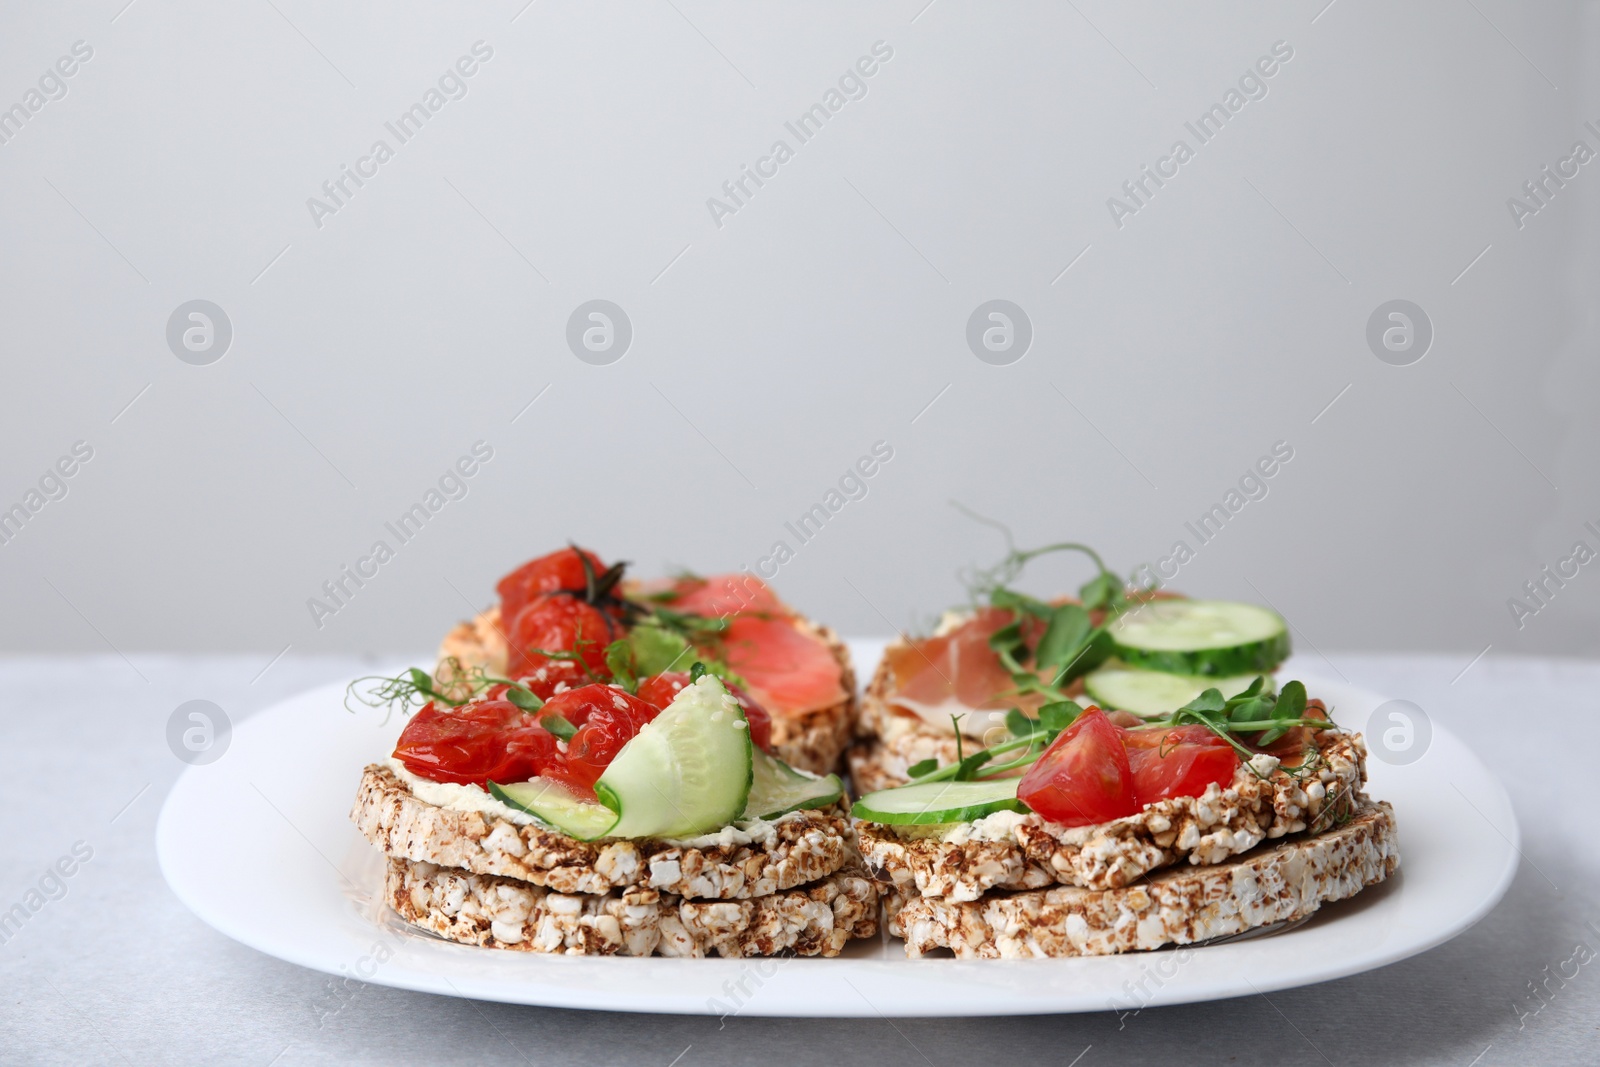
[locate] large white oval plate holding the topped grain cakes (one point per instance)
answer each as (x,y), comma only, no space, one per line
(260,845)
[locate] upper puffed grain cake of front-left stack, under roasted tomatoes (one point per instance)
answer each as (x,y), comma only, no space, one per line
(737,863)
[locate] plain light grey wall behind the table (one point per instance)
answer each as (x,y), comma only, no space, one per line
(830,313)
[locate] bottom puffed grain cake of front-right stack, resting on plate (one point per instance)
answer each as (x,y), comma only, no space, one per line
(1274,884)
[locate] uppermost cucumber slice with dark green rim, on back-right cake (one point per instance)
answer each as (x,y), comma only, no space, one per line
(1217,639)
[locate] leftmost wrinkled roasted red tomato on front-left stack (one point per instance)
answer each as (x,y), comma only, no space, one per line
(476,743)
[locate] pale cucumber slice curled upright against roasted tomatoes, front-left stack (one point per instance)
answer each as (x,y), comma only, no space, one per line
(687,772)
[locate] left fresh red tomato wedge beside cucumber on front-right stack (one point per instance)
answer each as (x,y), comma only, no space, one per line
(1084,777)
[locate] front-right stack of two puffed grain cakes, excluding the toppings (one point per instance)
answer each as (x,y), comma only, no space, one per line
(1270,849)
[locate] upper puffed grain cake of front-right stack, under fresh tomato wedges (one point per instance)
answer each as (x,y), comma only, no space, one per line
(1023,852)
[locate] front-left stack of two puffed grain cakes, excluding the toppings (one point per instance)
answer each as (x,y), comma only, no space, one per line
(793,885)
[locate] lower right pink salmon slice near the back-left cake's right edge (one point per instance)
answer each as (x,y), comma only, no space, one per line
(786,669)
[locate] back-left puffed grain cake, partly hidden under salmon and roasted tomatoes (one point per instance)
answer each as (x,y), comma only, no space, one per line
(814,741)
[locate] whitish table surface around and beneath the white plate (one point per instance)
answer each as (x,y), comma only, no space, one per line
(118,972)
